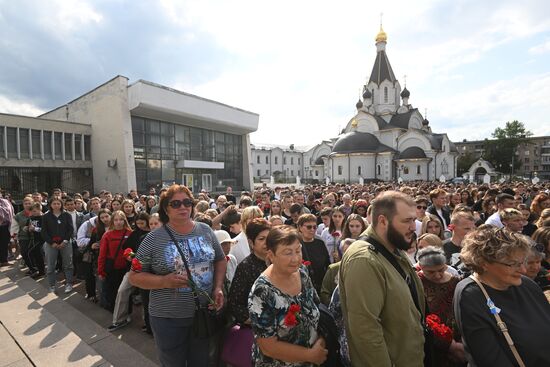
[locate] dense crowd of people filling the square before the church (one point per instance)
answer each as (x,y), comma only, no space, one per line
(385,274)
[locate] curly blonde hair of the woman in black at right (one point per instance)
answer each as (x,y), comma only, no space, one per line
(490,244)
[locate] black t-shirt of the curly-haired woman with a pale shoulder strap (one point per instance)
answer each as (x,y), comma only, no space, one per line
(525,311)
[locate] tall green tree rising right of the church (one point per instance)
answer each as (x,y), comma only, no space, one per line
(501,151)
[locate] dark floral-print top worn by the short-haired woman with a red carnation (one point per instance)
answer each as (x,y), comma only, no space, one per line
(271,315)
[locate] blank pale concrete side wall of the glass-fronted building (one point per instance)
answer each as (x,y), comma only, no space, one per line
(106,109)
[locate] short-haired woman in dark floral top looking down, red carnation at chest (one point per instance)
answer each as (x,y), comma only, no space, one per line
(283,307)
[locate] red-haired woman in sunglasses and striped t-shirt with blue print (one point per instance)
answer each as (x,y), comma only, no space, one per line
(159,266)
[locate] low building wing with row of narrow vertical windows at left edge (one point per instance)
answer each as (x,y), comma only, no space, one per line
(39,154)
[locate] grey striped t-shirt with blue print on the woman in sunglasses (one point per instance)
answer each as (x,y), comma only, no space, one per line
(159,255)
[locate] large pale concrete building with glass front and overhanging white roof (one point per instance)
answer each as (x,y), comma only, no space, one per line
(147,135)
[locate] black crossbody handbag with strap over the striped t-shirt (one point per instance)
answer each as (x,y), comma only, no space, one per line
(205,321)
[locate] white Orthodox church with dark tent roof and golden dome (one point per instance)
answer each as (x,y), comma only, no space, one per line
(387,139)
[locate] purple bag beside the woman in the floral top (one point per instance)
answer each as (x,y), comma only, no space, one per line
(237,346)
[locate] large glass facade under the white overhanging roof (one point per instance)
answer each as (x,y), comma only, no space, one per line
(159,145)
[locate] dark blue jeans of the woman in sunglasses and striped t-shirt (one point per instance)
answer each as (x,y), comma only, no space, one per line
(176,344)
